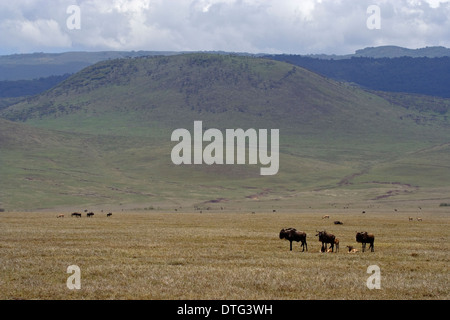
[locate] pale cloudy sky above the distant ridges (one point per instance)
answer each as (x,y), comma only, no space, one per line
(256,26)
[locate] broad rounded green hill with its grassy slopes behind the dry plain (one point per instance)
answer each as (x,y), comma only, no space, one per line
(103,137)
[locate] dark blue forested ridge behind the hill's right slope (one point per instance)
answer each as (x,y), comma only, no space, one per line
(428,76)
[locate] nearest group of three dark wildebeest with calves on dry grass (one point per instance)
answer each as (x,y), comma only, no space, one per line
(292,234)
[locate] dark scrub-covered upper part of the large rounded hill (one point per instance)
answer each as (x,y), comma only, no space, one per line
(226,89)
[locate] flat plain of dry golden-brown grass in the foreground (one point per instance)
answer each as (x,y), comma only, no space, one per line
(222,254)
